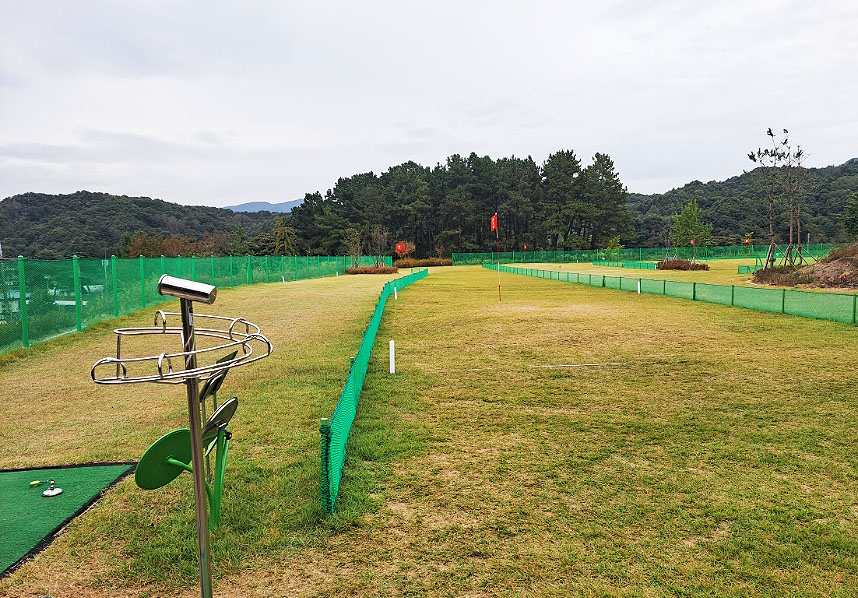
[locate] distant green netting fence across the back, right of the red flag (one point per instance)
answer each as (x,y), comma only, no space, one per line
(641,254)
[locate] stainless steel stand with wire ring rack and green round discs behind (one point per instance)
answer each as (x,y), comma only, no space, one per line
(187,449)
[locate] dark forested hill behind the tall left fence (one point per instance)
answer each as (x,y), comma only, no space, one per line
(88,224)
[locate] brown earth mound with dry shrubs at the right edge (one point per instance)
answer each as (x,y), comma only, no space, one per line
(838,269)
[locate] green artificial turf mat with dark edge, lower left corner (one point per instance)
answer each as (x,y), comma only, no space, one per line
(28,520)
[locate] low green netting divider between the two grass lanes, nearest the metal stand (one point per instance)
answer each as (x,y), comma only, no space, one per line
(335,432)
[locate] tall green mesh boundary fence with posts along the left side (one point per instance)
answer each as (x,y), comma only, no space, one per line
(43,299)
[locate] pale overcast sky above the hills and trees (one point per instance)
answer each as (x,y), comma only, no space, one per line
(219,103)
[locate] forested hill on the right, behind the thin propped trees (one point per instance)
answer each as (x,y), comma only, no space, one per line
(735,208)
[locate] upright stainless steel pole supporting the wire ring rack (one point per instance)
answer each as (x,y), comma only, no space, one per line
(195,423)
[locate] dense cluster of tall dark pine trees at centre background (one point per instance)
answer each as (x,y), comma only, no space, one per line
(560,204)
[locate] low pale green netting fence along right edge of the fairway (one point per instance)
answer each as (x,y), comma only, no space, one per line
(839,307)
